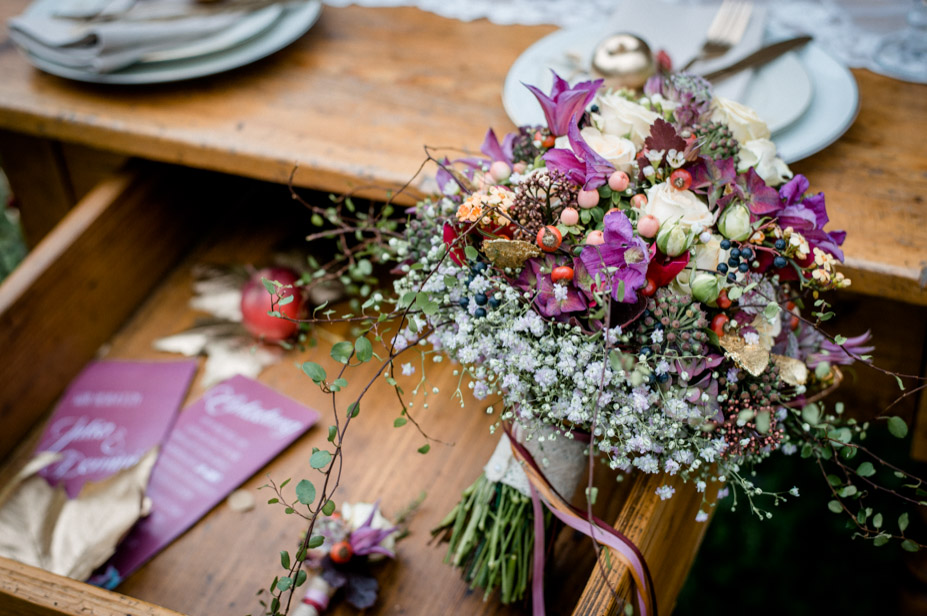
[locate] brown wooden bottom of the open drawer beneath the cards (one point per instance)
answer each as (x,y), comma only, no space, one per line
(219,564)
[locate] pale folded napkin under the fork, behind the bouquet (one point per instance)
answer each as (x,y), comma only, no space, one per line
(680,31)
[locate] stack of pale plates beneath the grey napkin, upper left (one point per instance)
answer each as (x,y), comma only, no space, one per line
(255,35)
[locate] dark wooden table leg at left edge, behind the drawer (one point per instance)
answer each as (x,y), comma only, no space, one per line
(39,180)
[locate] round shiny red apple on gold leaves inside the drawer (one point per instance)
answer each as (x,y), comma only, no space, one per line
(256,302)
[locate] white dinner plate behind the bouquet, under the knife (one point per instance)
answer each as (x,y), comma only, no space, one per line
(785,92)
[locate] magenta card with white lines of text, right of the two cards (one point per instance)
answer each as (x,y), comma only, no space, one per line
(217,443)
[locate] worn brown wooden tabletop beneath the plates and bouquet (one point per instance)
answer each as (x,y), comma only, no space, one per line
(354,100)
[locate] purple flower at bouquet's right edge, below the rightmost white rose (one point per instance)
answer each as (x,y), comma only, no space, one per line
(808,216)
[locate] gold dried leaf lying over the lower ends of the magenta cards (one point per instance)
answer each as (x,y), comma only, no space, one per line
(40,526)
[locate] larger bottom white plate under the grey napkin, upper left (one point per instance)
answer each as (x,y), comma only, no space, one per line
(289,25)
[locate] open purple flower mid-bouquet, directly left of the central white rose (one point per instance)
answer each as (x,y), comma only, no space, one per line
(622,250)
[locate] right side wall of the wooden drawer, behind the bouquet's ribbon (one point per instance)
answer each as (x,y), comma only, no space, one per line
(666,533)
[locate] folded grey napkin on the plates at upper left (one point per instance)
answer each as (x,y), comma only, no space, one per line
(103,36)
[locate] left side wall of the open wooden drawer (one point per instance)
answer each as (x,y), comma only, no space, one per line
(83,280)
